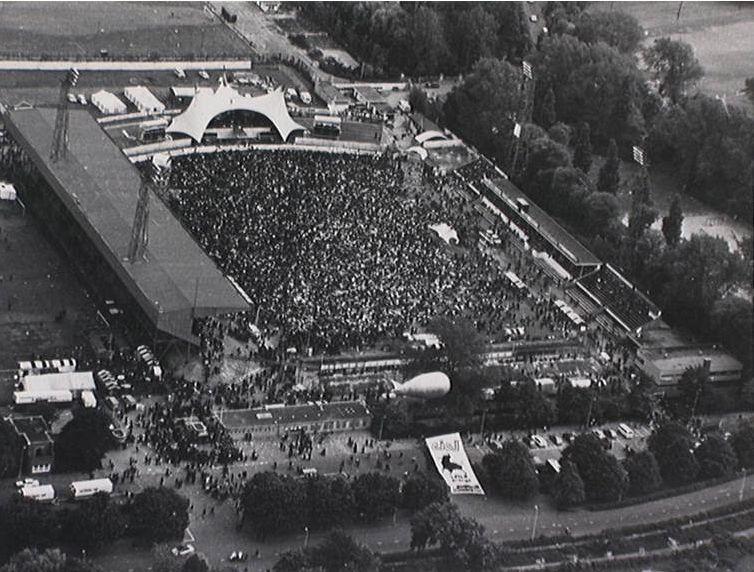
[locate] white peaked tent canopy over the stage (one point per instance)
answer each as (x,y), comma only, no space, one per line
(208,104)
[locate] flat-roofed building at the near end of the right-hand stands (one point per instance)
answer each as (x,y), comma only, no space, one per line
(666,366)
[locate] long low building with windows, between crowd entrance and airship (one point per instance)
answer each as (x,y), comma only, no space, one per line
(272,422)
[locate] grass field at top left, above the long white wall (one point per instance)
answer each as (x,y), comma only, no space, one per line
(125,29)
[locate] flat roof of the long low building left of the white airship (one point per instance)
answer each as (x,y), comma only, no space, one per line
(294,414)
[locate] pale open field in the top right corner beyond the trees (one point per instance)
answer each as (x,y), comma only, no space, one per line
(722,34)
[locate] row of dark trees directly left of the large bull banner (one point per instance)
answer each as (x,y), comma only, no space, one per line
(276,503)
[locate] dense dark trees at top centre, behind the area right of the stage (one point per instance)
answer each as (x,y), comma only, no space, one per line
(424,39)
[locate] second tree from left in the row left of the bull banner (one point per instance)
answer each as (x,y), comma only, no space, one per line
(329,501)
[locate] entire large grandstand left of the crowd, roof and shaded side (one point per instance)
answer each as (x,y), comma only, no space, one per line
(88,203)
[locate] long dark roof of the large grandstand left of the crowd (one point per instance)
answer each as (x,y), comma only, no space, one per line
(99,185)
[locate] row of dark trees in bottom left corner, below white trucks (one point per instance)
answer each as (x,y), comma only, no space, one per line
(155,514)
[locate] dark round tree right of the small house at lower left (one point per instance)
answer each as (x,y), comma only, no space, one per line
(83,441)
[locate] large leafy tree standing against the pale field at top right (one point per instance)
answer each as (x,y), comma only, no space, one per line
(674,65)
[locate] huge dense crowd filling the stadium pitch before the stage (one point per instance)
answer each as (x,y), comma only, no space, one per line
(332,248)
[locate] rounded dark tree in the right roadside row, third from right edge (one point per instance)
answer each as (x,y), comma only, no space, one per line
(673,447)
